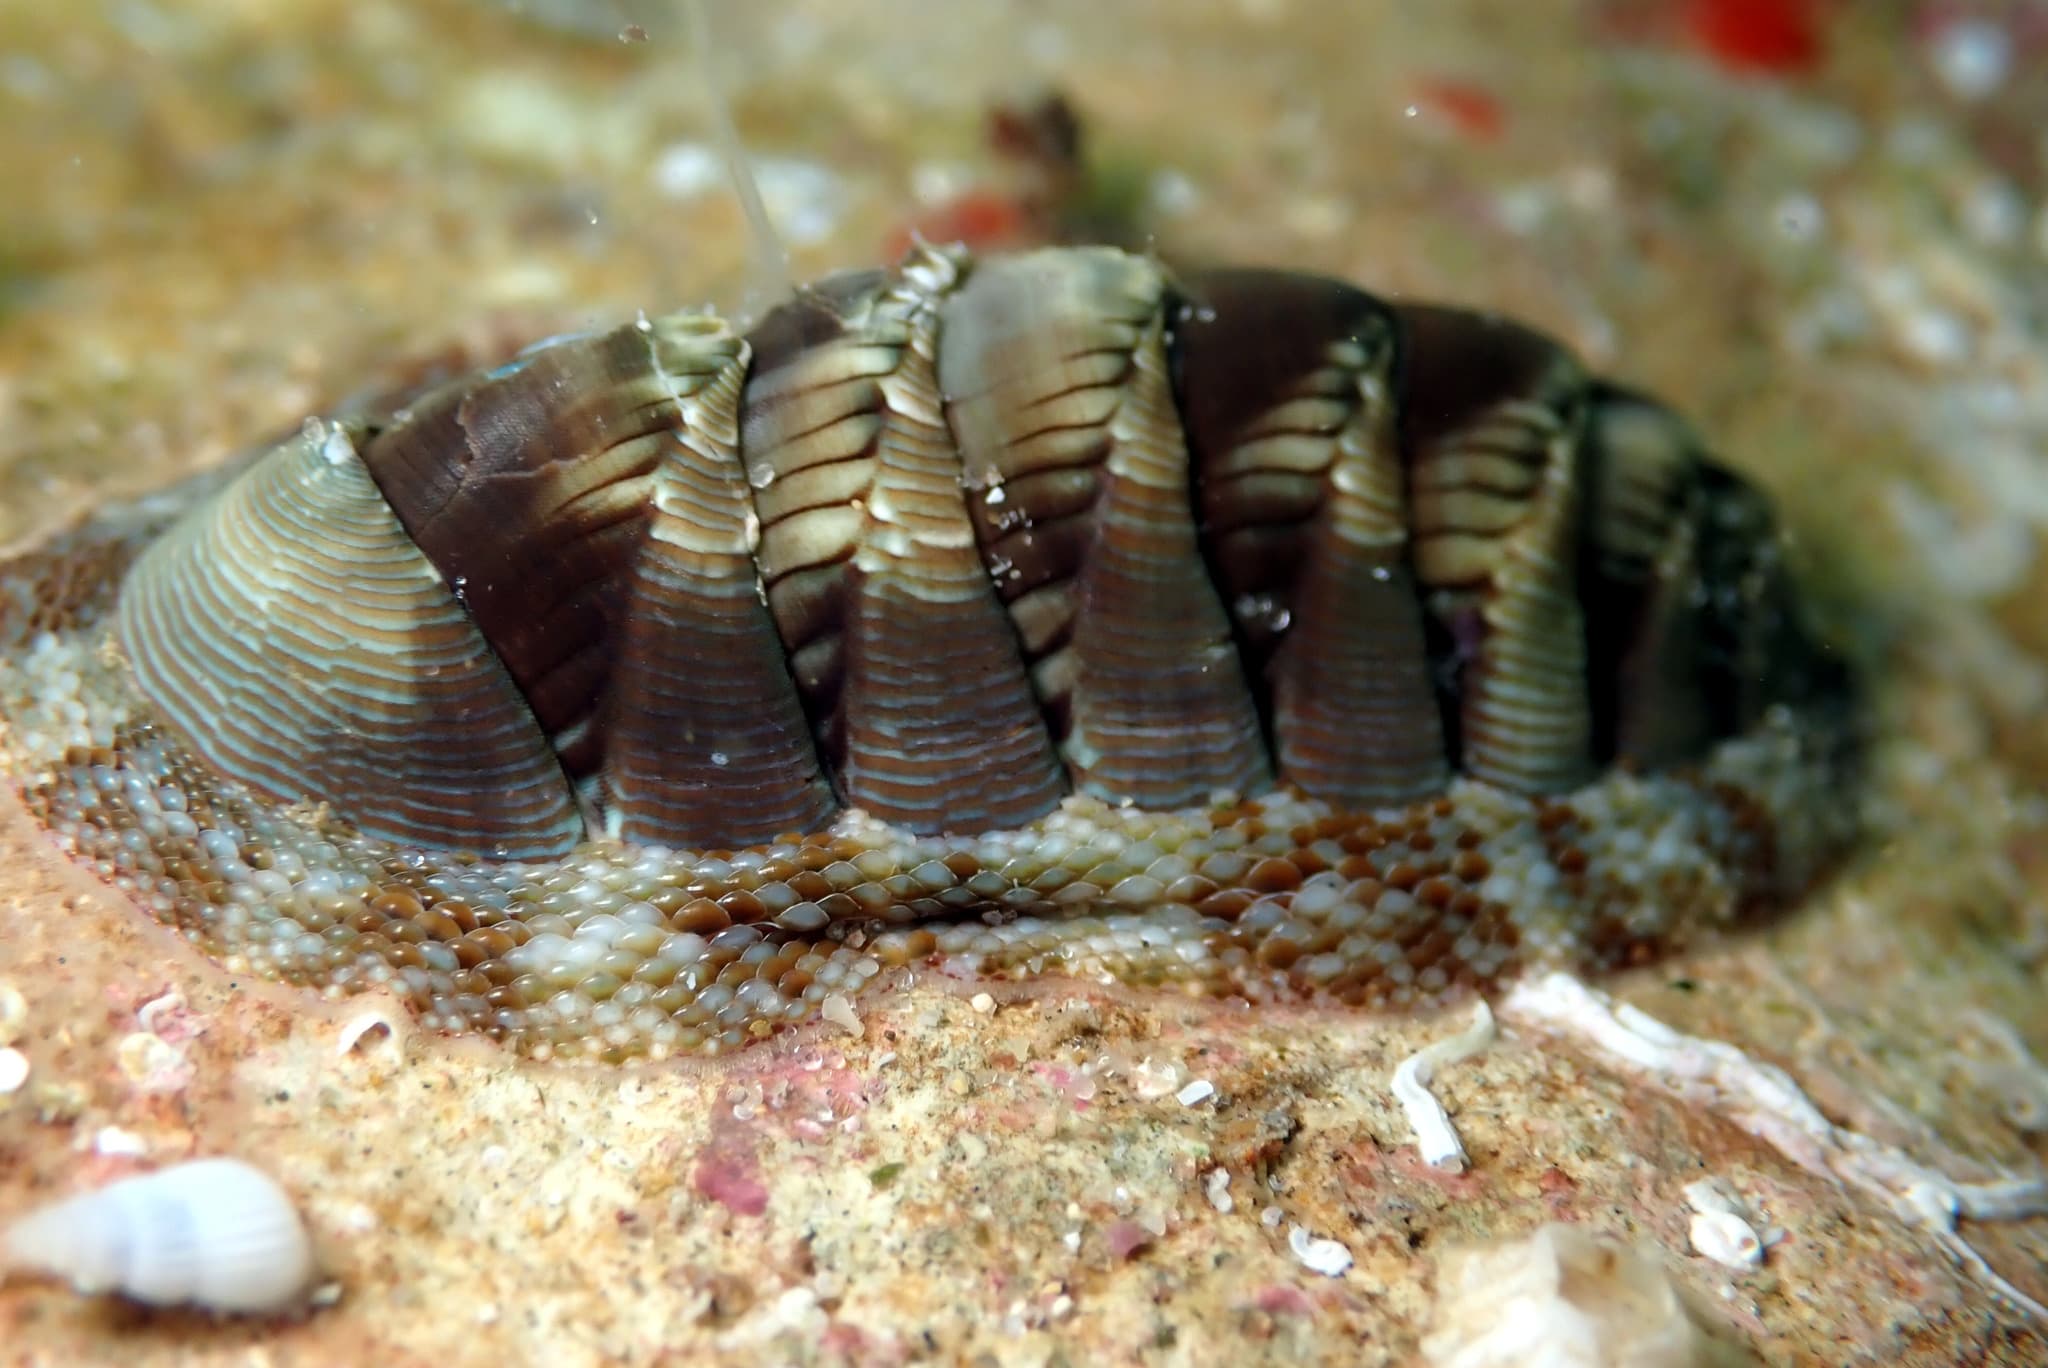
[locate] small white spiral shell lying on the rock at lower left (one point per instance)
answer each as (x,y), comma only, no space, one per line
(216,1234)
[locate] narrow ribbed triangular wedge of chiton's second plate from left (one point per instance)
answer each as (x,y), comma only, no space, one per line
(708,738)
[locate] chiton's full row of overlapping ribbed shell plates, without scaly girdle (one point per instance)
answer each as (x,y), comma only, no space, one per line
(968,536)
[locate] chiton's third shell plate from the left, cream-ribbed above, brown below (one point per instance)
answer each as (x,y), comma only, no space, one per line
(906,658)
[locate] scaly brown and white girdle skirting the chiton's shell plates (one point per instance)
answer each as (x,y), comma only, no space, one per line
(632,951)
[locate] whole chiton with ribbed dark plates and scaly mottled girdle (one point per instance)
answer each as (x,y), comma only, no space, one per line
(1046,613)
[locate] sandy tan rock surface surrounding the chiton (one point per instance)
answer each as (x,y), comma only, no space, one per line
(228,216)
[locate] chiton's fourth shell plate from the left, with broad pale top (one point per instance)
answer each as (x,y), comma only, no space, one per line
(1058,388)
